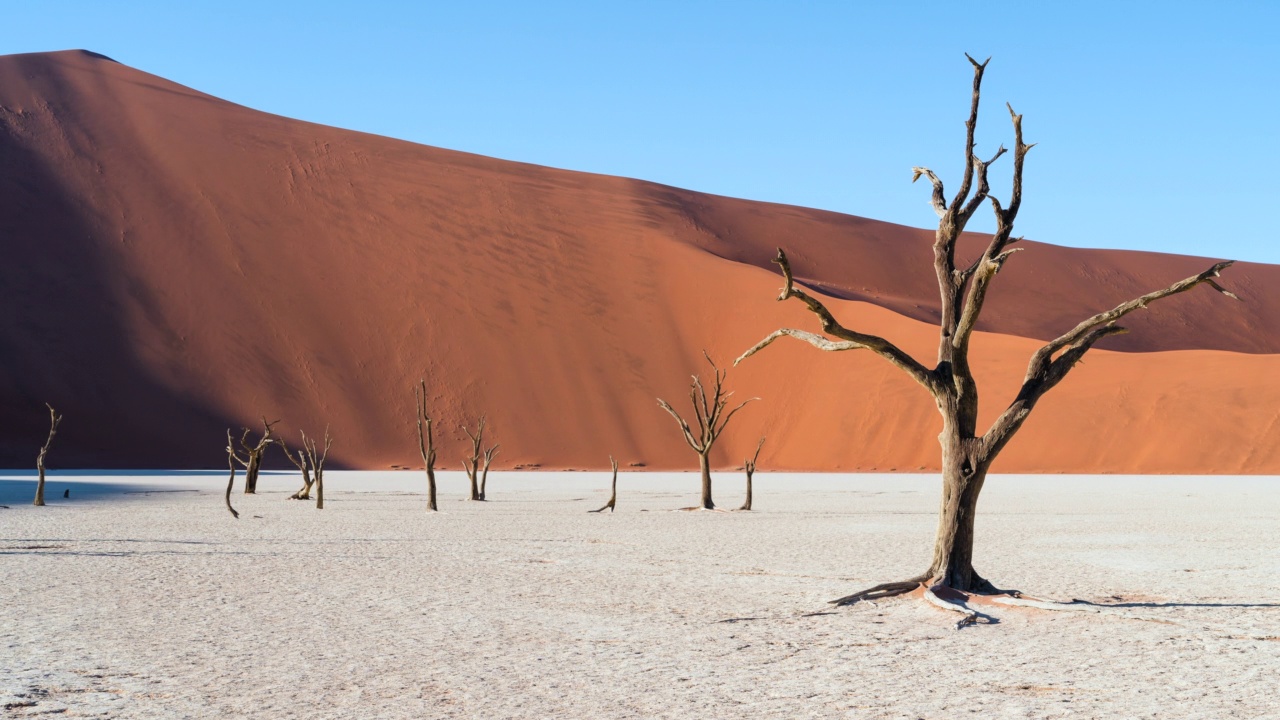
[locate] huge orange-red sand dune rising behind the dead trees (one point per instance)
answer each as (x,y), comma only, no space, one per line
(176,265)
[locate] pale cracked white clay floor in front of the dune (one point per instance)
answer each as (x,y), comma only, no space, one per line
(141,598)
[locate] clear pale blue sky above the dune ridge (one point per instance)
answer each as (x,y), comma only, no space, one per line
(1158,122)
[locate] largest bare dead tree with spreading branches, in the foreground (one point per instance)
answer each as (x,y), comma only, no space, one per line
(967,454)
